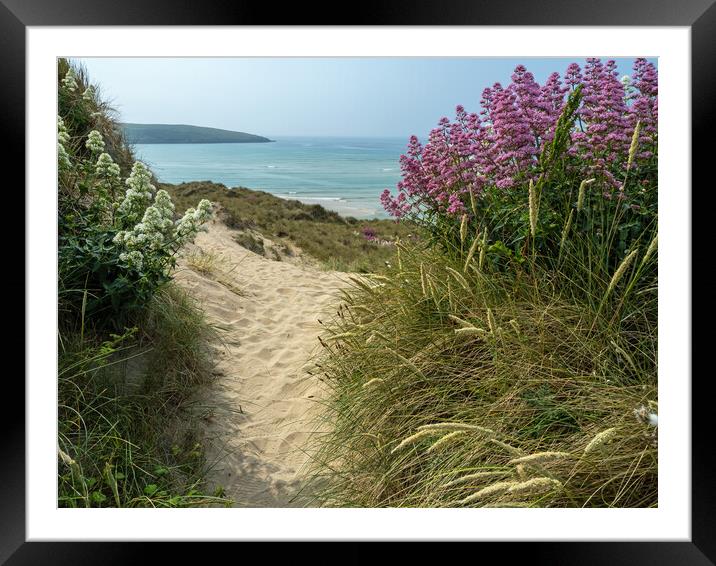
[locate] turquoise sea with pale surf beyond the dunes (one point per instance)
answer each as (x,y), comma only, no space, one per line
(343,174)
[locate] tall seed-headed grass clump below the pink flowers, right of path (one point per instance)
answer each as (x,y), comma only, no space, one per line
(453,385)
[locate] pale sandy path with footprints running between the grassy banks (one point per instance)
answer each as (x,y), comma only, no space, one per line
(264,396)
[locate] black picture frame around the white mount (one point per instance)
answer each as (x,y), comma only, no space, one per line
(699,15)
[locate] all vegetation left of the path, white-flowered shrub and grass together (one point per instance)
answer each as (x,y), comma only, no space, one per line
(133,348)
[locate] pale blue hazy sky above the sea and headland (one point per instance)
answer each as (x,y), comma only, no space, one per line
(274,97)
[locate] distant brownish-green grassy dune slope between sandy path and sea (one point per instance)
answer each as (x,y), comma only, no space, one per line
(335,241)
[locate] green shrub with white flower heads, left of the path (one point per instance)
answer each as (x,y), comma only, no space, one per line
(117,238)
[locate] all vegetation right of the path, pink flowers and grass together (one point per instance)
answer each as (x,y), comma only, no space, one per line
(509,359)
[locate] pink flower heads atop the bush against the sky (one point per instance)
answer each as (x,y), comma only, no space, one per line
(500,146)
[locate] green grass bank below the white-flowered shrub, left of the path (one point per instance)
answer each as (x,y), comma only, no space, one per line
(127,432)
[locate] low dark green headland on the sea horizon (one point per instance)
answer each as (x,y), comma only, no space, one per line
(181,133)
